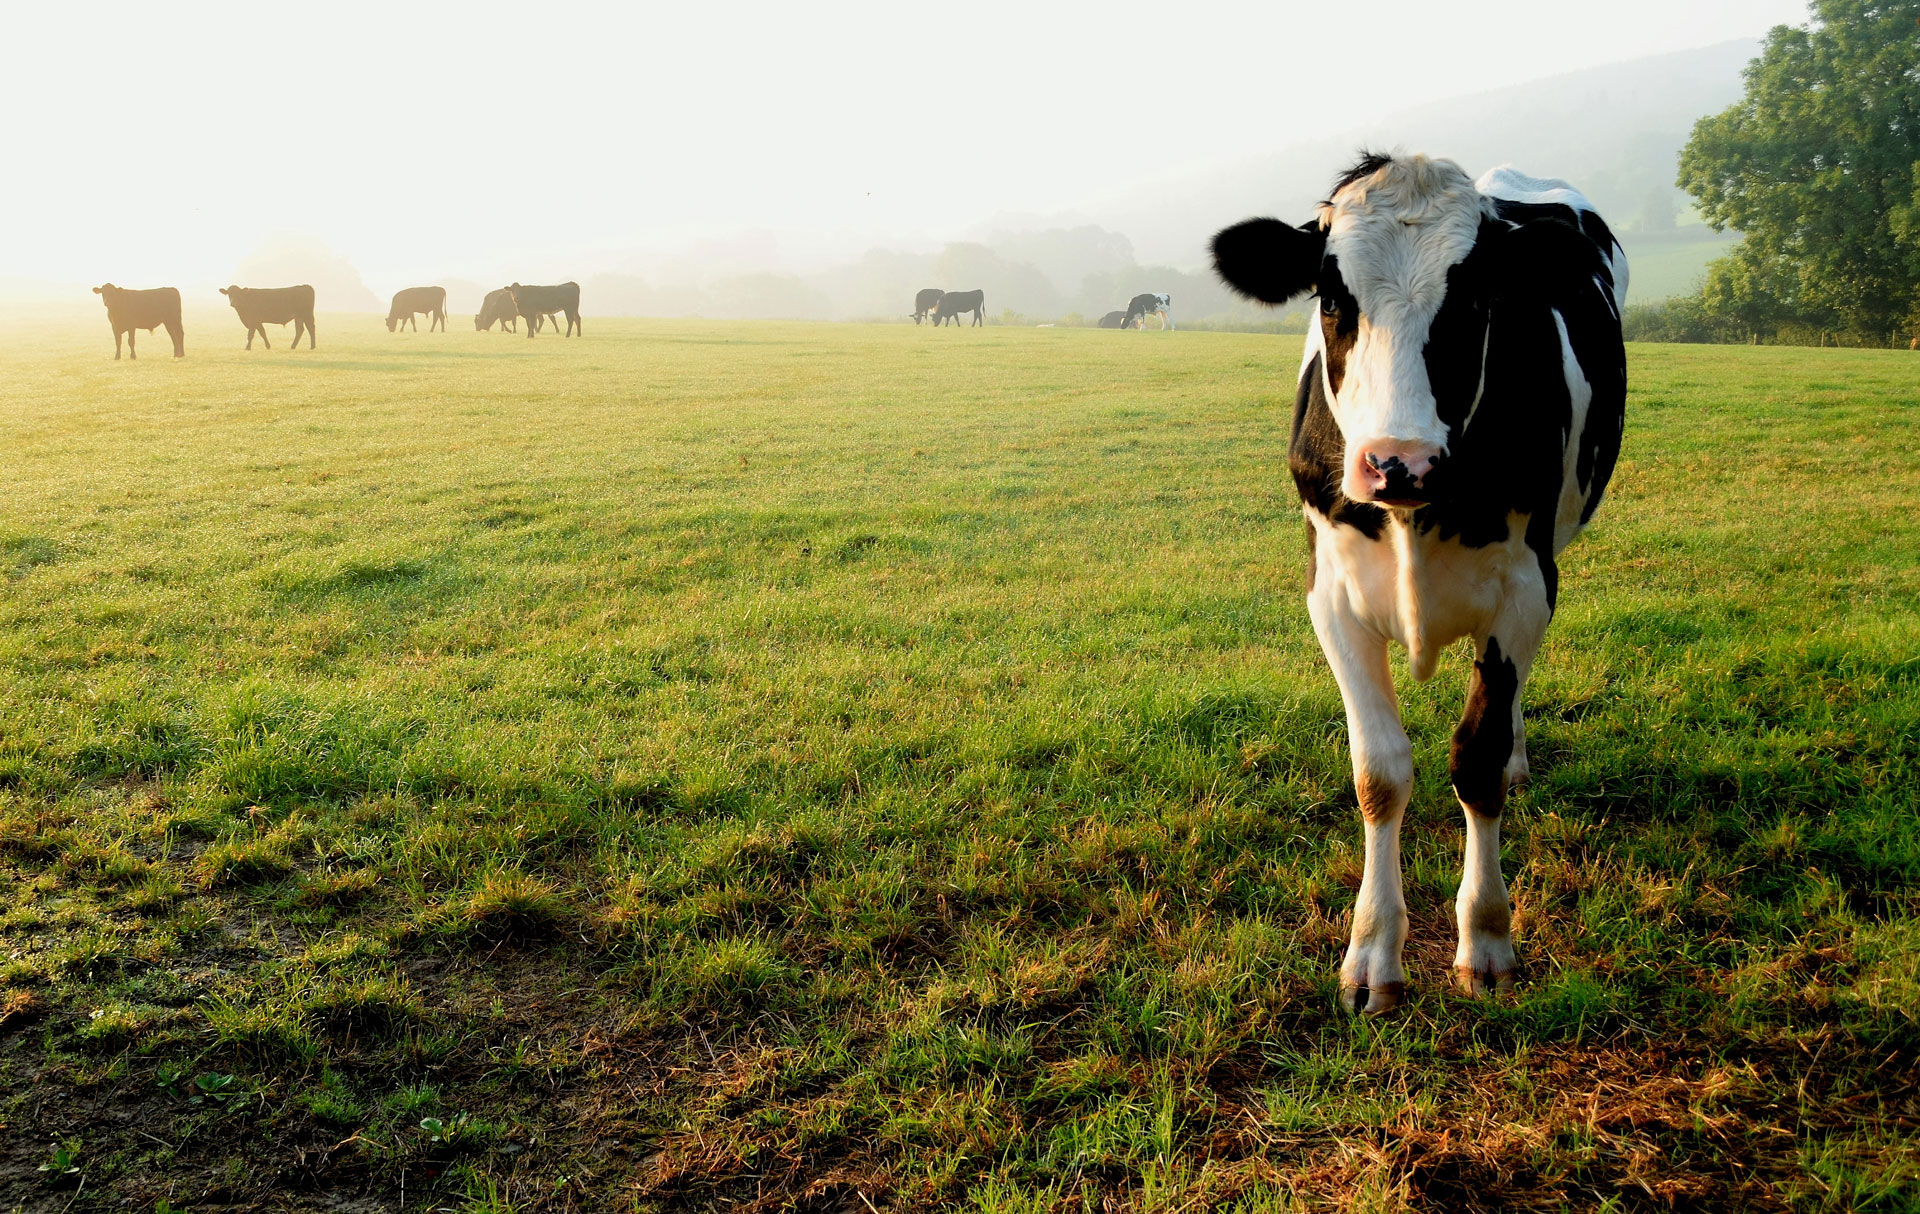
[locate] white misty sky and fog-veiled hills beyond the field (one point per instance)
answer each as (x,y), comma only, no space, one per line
(759,160)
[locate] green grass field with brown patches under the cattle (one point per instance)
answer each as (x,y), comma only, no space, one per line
(878,769)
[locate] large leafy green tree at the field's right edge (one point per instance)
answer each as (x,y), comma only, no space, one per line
(1819,166)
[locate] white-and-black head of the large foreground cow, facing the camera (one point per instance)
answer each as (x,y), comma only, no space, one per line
(1401,335)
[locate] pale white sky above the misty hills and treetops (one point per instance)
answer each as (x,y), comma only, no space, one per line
(164,141)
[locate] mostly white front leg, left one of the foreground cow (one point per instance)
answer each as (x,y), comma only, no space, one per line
(1372,977)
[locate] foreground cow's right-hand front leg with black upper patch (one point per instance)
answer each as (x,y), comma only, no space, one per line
(1485,750)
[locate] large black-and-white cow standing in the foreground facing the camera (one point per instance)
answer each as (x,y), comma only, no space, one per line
(1458,418)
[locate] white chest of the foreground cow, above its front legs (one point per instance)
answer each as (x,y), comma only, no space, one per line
(1416,589)
